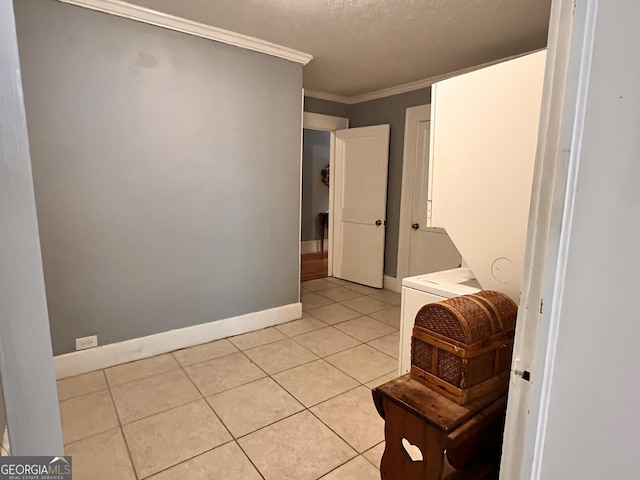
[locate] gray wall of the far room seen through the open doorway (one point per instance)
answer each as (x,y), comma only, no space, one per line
(315,194)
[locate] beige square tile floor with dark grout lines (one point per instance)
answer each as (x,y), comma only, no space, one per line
(287,402)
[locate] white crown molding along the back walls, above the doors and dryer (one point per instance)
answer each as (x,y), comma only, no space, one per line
(403,88)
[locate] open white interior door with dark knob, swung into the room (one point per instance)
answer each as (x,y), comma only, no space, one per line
(360,203)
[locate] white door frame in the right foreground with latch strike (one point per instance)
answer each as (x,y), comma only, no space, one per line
(571,33)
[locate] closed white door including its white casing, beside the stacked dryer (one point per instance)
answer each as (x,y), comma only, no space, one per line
(422,249)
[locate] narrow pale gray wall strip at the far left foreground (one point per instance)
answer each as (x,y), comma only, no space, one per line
(26,362)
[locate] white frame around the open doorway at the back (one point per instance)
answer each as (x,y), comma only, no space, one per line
(324,123)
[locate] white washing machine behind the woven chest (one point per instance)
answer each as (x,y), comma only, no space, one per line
(428,288)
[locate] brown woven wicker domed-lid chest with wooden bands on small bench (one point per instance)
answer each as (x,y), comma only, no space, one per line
(461,347)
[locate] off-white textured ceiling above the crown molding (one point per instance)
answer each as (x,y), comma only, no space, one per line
(360,46)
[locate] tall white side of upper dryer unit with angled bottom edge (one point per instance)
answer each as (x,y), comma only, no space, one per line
(483,148)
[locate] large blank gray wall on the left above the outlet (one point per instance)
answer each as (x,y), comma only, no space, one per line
(167,173)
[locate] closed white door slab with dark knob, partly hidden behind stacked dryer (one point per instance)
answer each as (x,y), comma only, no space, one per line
(430,249)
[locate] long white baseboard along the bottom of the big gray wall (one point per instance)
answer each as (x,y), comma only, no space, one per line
(84,361)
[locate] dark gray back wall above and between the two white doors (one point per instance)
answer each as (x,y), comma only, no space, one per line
(390,110)
